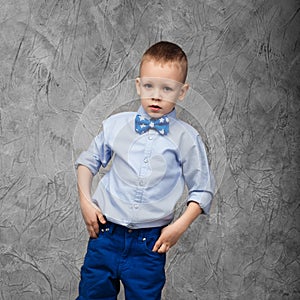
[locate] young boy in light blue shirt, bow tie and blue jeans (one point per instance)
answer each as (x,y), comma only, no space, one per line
(129,216)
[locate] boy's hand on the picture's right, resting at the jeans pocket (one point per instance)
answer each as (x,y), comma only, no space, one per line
(168,238)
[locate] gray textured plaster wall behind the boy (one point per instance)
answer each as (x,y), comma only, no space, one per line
(55,59)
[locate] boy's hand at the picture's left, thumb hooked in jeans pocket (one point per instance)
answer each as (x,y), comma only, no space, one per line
(92,215)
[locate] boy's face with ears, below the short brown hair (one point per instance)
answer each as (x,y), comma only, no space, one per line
(160,86)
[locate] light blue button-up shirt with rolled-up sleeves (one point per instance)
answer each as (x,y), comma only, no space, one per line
(149,171)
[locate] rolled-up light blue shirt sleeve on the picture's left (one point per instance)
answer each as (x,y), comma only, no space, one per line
(97,155)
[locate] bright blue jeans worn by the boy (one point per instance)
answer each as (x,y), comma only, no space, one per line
(120,253)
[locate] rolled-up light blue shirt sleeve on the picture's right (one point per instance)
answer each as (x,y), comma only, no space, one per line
(198,177)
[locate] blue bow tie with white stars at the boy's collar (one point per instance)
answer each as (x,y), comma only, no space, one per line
(143,124)
